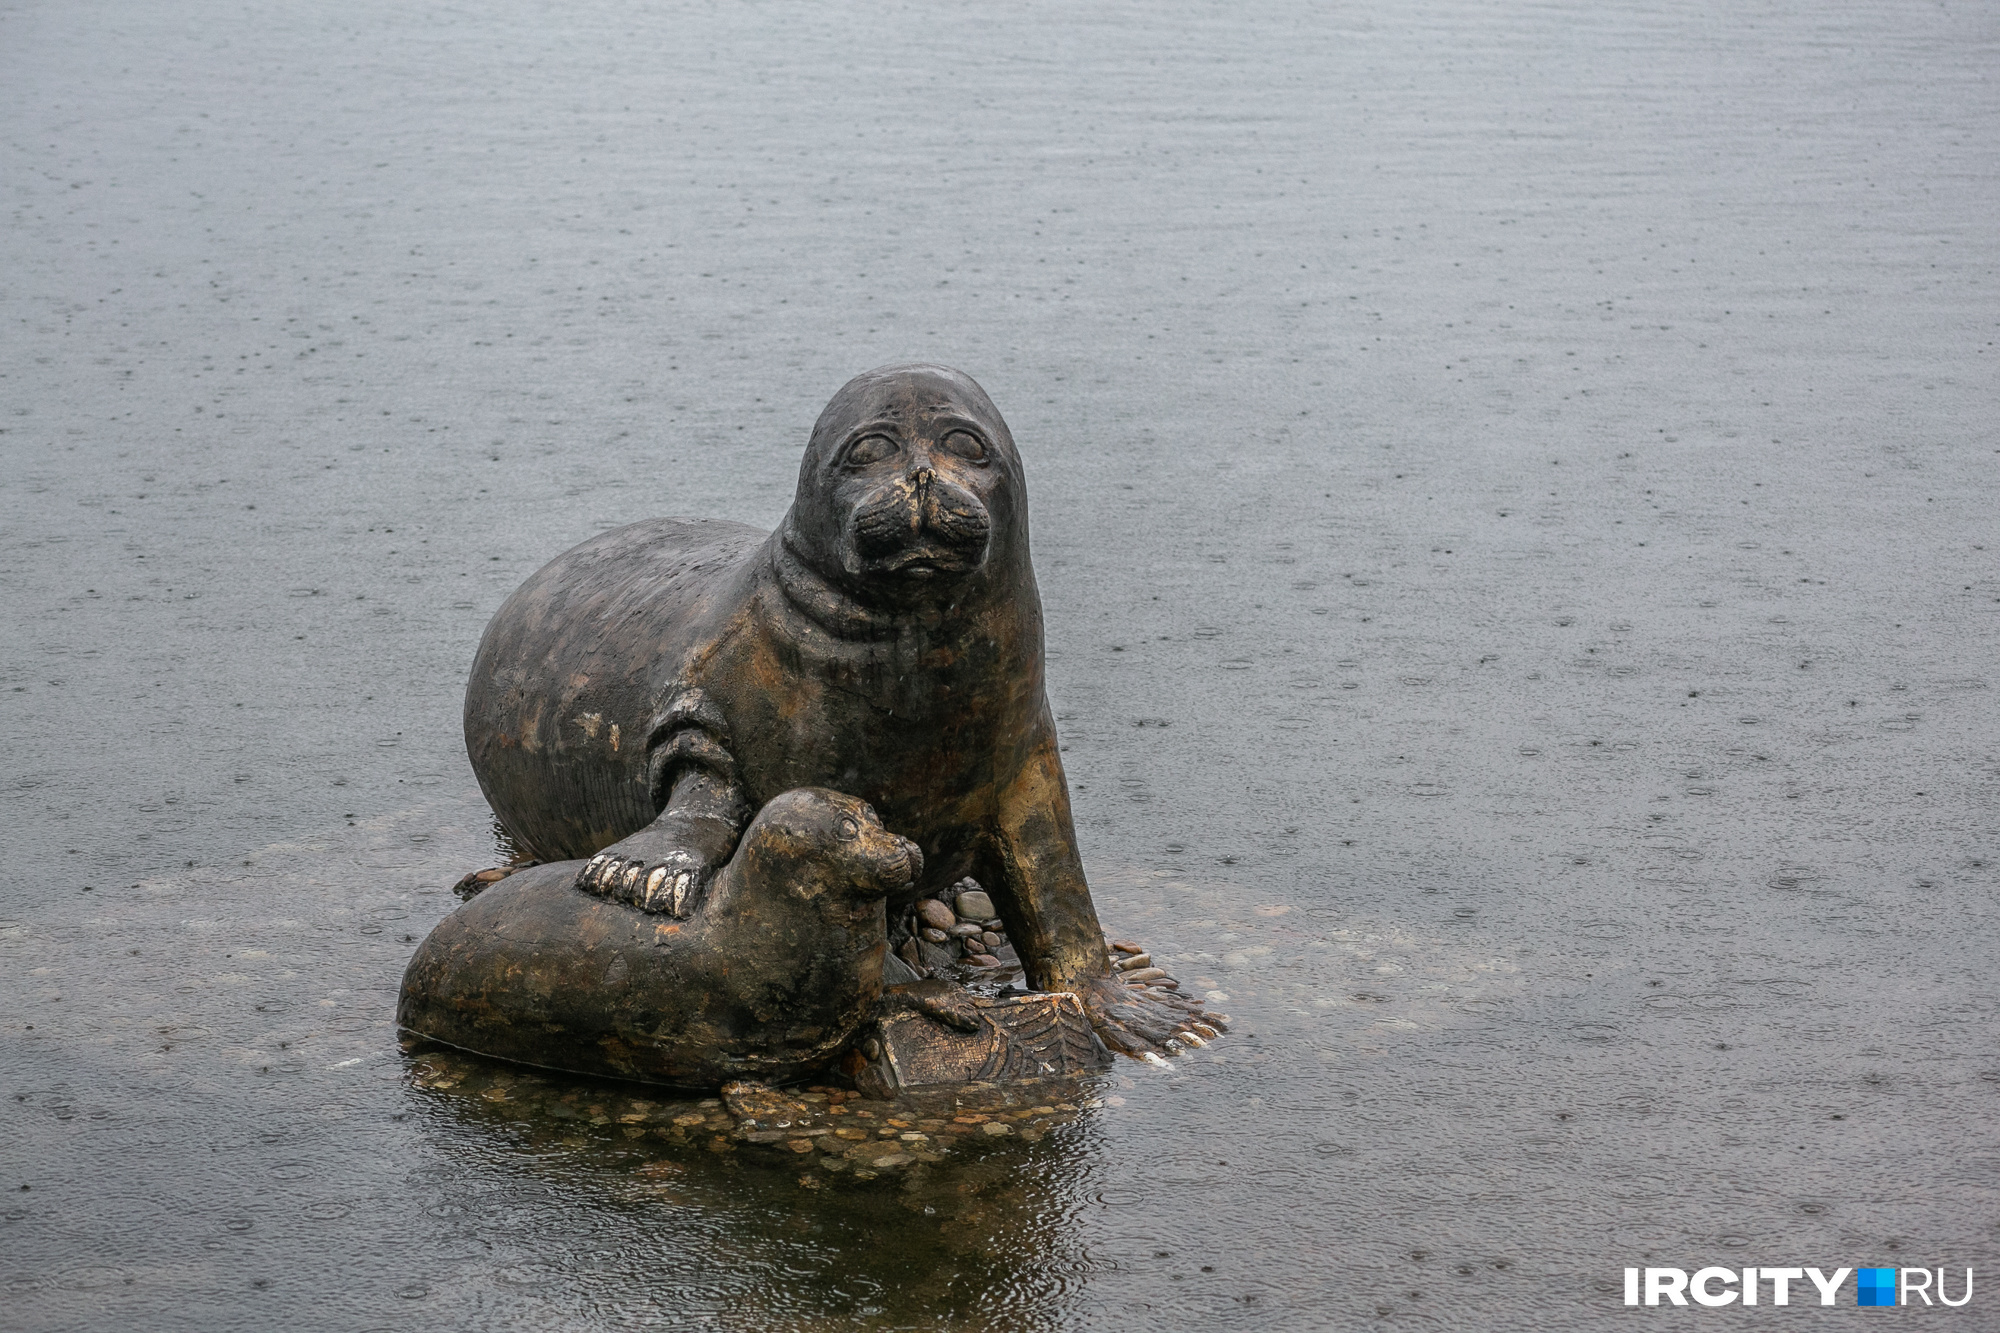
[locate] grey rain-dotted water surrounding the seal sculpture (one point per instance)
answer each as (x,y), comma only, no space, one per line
(1513,497)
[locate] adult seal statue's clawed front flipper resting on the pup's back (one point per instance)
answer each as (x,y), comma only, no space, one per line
(667,866)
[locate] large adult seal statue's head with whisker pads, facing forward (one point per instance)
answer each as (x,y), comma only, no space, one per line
(911,487)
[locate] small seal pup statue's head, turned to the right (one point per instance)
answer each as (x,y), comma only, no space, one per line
(829,846)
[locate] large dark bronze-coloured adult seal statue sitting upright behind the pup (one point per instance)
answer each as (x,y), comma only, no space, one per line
(647,692)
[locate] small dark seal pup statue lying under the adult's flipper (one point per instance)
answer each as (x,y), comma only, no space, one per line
(765,980)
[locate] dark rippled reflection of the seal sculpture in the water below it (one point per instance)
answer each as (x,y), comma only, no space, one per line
(733,1234)
